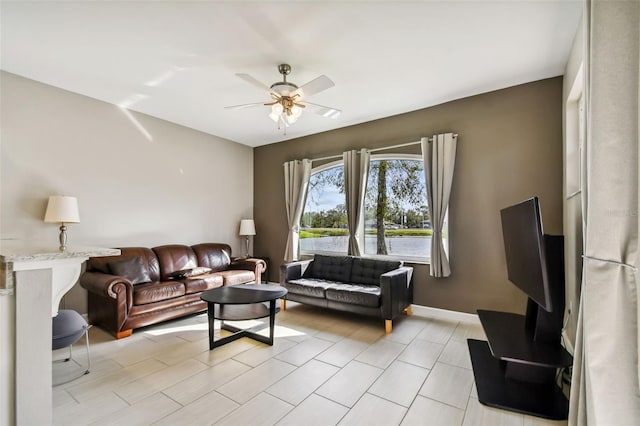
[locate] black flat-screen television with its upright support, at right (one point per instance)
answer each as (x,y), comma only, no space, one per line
(535,264)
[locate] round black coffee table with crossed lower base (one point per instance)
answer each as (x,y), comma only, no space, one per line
(238,303)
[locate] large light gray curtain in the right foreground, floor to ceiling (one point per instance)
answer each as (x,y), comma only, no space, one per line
(604,389)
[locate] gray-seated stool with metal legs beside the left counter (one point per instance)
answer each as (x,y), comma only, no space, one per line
(68,328)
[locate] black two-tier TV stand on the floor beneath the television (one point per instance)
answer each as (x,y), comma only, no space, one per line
(515,369)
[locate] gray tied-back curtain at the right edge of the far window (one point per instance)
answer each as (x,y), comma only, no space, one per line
(439,157)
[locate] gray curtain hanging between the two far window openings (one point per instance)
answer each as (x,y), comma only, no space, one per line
(356,173)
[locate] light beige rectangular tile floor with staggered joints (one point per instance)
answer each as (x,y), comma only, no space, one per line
(325,368)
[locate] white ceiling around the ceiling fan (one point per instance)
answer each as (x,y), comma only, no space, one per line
(177,60)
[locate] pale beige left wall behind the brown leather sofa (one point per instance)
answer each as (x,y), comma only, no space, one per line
(139,180)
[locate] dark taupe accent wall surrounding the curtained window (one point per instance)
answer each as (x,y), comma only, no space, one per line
(509,149)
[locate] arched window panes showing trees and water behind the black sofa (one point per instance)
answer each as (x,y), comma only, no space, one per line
(396,217)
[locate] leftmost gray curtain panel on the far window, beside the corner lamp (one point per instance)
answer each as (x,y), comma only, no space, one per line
(296,182)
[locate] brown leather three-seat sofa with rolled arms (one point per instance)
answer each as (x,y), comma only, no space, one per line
(144,286)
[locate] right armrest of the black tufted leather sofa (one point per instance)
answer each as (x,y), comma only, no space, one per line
(396,290)
